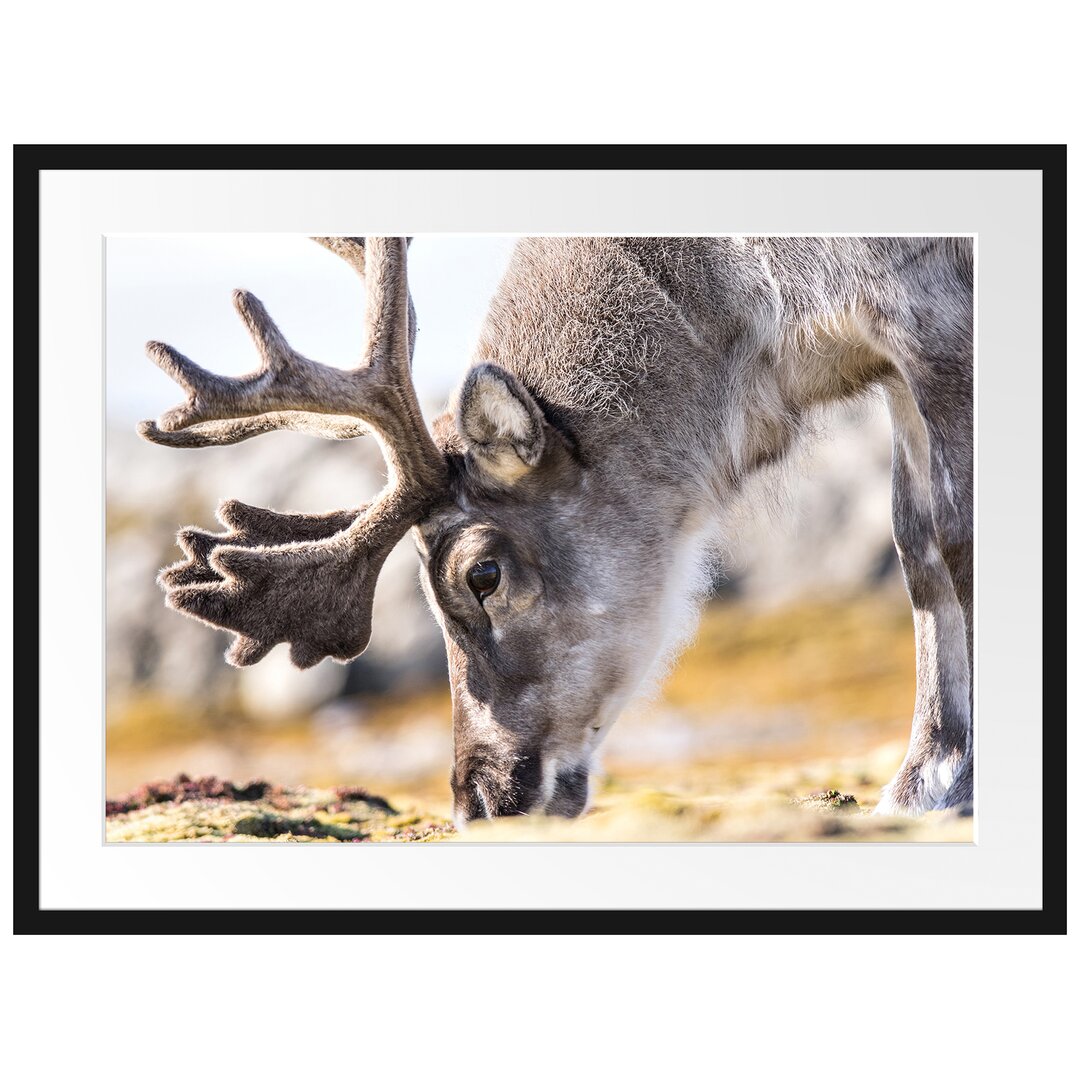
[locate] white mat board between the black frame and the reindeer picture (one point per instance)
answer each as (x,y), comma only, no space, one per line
(77,208)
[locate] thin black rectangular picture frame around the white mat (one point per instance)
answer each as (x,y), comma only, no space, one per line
(31,160)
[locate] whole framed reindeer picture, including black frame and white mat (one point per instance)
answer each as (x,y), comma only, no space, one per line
(656,551)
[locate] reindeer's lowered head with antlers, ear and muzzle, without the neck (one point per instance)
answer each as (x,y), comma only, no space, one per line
(525,555)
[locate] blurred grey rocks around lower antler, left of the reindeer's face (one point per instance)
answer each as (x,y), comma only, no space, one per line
(153,491)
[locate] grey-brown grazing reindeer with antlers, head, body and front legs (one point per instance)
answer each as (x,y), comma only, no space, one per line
(624,390)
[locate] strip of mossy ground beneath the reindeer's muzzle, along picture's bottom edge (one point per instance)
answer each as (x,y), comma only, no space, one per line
(766,807)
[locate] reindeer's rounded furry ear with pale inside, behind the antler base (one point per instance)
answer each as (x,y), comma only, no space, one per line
(501,423)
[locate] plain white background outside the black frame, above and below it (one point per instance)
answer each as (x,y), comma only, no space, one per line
(841,73)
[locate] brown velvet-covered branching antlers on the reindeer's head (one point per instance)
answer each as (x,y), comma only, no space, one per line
(306,579)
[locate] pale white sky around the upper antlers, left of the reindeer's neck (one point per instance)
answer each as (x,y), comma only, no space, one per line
(179,290)
